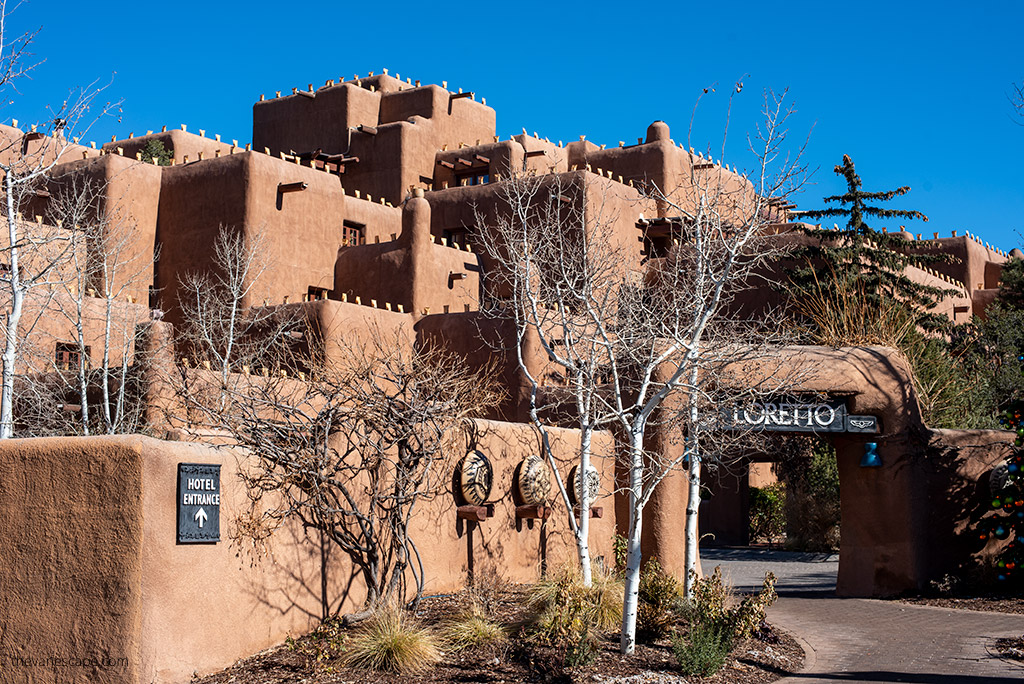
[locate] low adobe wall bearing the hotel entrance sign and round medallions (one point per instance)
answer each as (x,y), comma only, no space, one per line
(95,583)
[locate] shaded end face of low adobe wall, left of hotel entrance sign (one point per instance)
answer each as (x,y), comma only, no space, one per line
(73,536)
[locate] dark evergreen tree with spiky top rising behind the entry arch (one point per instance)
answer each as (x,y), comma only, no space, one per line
(861,259)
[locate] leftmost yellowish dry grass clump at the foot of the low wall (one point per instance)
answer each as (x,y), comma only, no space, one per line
(391,642)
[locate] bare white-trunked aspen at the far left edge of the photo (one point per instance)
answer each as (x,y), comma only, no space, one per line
(32,255)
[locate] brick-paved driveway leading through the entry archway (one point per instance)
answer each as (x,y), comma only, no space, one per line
(866,640)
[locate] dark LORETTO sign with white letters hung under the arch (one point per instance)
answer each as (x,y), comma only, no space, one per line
(797,416)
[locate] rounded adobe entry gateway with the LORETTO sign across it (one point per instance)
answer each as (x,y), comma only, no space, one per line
(908,510)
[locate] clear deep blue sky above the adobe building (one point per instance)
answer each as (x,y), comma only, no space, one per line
(916,93)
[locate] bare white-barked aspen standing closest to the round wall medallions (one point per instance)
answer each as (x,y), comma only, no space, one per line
(557,276)
